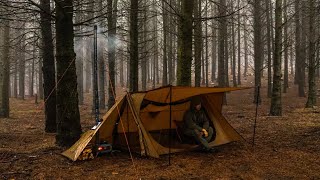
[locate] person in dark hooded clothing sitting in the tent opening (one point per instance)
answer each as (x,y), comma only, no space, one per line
(196,124)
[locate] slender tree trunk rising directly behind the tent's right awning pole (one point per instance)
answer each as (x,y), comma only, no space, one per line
(258,50)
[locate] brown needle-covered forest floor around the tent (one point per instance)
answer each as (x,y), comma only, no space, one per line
(286,147)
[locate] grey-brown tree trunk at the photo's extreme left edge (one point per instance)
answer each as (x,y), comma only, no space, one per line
(5,71)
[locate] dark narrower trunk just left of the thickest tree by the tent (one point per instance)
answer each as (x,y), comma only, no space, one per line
(48,68)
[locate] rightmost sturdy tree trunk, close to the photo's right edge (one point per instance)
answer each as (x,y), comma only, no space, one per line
(312,93)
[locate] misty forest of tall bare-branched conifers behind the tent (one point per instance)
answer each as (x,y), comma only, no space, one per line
(47,50)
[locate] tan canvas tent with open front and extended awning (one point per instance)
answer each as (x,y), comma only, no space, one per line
(146,122)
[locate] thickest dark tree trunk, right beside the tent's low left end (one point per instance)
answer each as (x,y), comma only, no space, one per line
(69,127)
